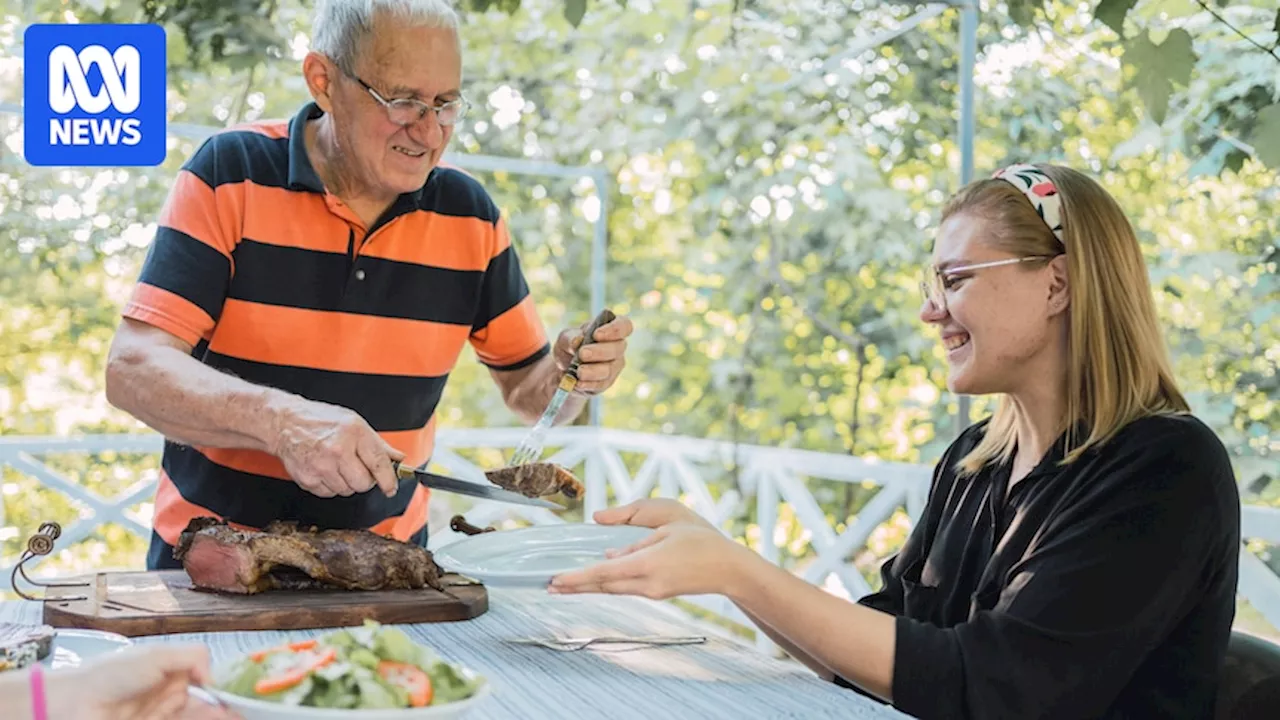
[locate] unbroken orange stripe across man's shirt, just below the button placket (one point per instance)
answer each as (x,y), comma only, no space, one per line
(305,339)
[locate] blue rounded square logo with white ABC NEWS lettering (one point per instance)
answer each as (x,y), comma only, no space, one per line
(95,95)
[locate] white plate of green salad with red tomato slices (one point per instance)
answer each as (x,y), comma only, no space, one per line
(363,668)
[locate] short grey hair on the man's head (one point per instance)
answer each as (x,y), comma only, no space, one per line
(341,28)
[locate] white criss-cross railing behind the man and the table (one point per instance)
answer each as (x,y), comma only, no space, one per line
(669,467)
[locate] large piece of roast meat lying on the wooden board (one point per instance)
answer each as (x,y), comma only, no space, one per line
(284,558)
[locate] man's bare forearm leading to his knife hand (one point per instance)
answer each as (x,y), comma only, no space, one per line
(191,403)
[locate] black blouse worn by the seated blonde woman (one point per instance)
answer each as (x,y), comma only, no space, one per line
(1105,589)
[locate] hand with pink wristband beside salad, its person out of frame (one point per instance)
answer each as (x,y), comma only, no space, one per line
(140,683)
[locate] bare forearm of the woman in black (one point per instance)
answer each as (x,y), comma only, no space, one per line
(853,641)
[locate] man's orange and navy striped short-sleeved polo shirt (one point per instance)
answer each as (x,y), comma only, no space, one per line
(276,281)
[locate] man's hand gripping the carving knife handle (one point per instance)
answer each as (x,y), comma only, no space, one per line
(332,450)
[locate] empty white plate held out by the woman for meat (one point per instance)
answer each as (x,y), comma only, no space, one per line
(531,558)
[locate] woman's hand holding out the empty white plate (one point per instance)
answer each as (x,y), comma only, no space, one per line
(678,559)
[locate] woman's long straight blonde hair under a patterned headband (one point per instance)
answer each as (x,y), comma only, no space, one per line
(1118,366)
